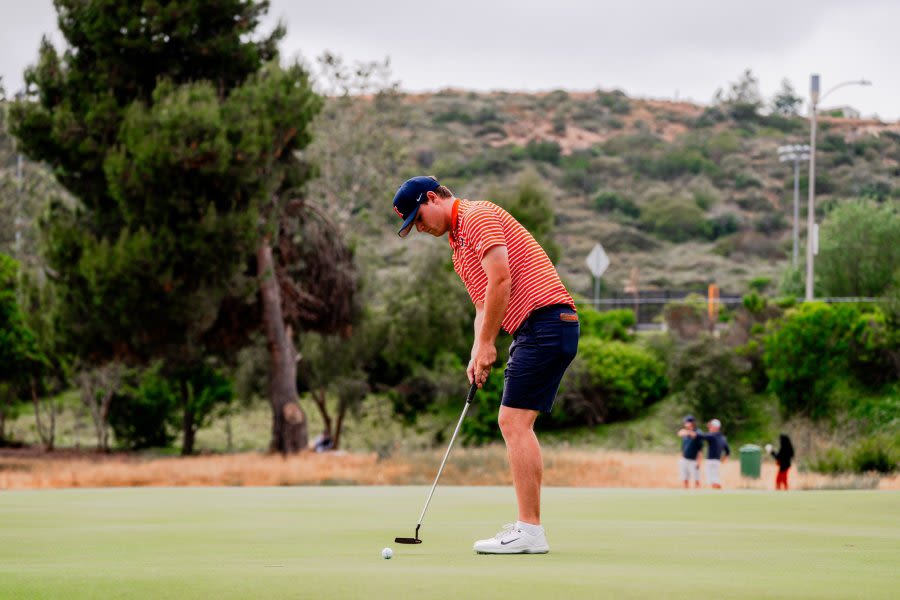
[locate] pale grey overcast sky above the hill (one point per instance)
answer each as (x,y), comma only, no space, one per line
(683,49)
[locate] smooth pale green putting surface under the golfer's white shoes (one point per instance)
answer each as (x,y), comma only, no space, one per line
(325,543)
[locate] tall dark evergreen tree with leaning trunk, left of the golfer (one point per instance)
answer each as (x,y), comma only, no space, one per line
(177,131)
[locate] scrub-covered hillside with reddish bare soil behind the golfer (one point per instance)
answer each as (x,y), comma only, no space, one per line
(686,194)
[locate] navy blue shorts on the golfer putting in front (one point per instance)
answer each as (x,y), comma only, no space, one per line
(542,348)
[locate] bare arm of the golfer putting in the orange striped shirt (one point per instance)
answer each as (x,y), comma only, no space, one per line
(489,314)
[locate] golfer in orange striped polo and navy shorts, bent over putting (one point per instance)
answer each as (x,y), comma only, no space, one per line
(513,285)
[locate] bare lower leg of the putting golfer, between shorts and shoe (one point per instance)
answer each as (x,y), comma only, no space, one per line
(517,426)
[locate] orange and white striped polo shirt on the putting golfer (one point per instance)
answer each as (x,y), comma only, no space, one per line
(478,227)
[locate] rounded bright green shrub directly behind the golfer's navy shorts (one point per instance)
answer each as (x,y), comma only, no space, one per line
(609,381)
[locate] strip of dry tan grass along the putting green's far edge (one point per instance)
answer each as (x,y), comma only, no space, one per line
(476,466)
